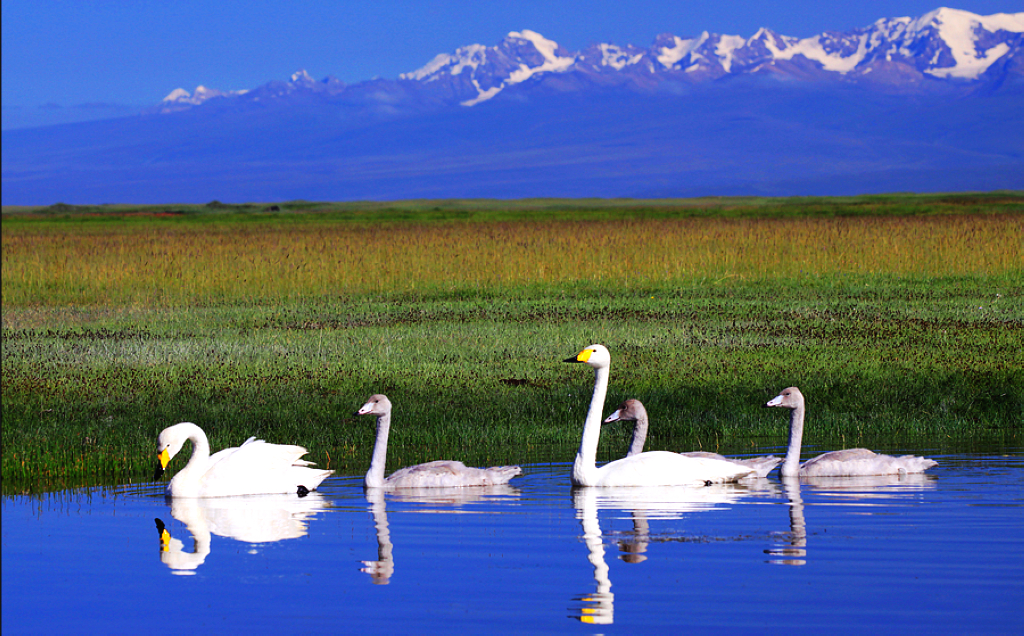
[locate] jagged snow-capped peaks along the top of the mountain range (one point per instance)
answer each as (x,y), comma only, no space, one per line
(900,54)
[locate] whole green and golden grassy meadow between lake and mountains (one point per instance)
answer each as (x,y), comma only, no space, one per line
(903,327)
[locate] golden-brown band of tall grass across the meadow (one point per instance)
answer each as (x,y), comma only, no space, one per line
(185,264)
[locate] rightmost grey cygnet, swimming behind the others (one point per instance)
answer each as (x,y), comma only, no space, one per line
(852,462)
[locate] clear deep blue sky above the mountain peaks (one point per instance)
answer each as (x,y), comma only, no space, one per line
(62,54)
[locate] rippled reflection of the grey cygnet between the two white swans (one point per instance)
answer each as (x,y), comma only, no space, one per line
(380,571)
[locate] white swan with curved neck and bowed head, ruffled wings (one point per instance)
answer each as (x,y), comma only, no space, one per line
(254,469)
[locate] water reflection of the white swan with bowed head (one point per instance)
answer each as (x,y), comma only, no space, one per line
(254,519)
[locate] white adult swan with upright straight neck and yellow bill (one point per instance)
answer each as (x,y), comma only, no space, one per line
(653,469)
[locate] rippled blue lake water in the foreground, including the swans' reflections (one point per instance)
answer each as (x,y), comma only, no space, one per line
(941,554)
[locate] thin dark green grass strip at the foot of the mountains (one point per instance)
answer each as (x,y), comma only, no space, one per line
(549,209)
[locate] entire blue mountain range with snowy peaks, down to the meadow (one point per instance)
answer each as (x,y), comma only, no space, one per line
(931,104)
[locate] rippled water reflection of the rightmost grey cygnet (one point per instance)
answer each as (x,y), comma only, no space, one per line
(793,550)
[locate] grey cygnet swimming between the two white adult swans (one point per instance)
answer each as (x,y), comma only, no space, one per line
(433,475)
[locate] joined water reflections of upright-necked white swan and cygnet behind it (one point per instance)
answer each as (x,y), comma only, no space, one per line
(643,504)
